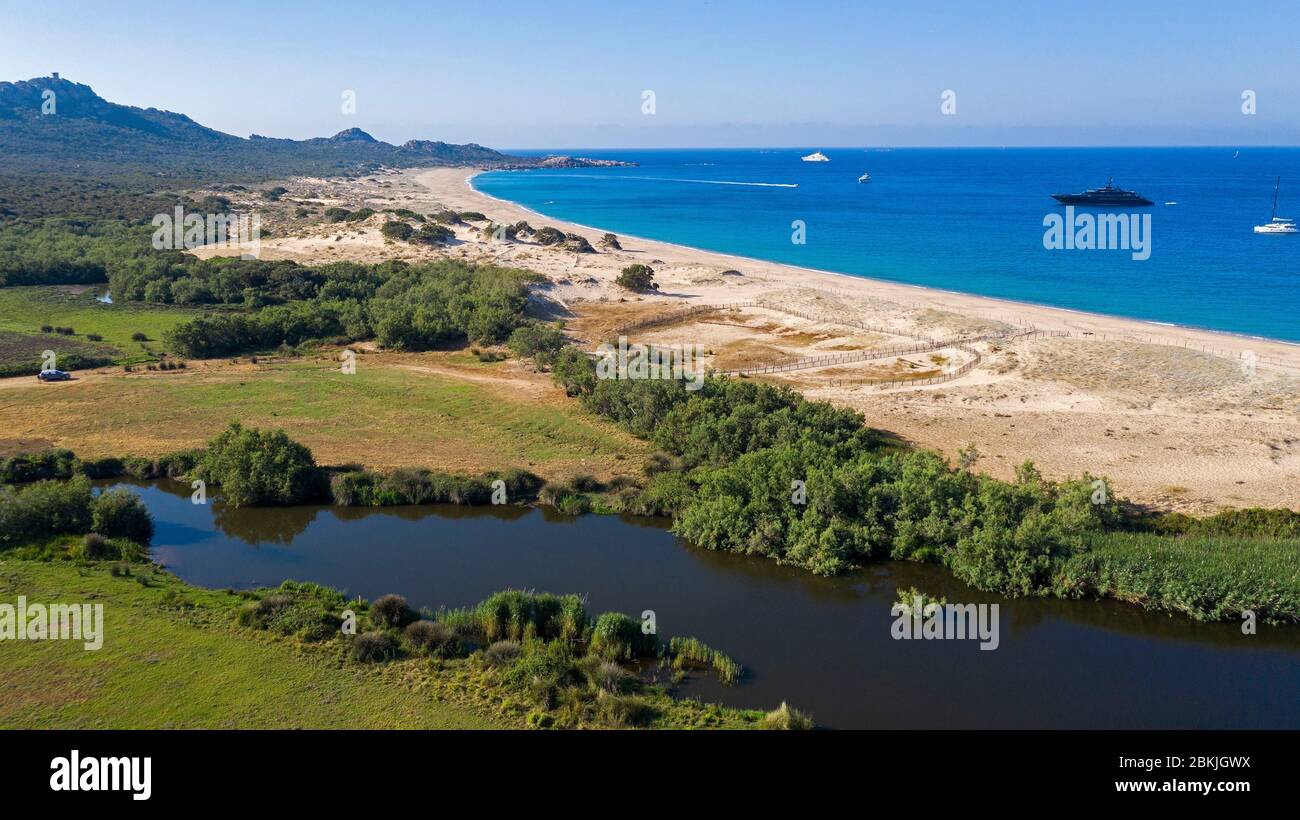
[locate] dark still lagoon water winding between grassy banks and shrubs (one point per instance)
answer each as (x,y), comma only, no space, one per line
(825,645)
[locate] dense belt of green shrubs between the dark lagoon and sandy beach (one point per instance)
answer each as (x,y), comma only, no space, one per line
(759,470)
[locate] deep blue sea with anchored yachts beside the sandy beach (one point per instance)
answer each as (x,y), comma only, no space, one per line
(965,220)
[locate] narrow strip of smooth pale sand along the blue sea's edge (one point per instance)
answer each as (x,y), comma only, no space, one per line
(924,296)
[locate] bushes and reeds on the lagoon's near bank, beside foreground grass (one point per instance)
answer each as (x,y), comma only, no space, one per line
(570,669)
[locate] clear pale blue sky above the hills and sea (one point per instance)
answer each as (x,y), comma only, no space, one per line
(554,73)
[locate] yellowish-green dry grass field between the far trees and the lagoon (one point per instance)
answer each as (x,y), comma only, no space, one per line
(393,413)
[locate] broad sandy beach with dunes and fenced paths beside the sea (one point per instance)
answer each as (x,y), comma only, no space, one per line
(1176,418)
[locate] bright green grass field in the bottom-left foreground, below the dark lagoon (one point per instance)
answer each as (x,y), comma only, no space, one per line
(179,662)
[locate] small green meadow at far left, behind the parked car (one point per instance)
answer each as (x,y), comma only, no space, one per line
(25,310)
